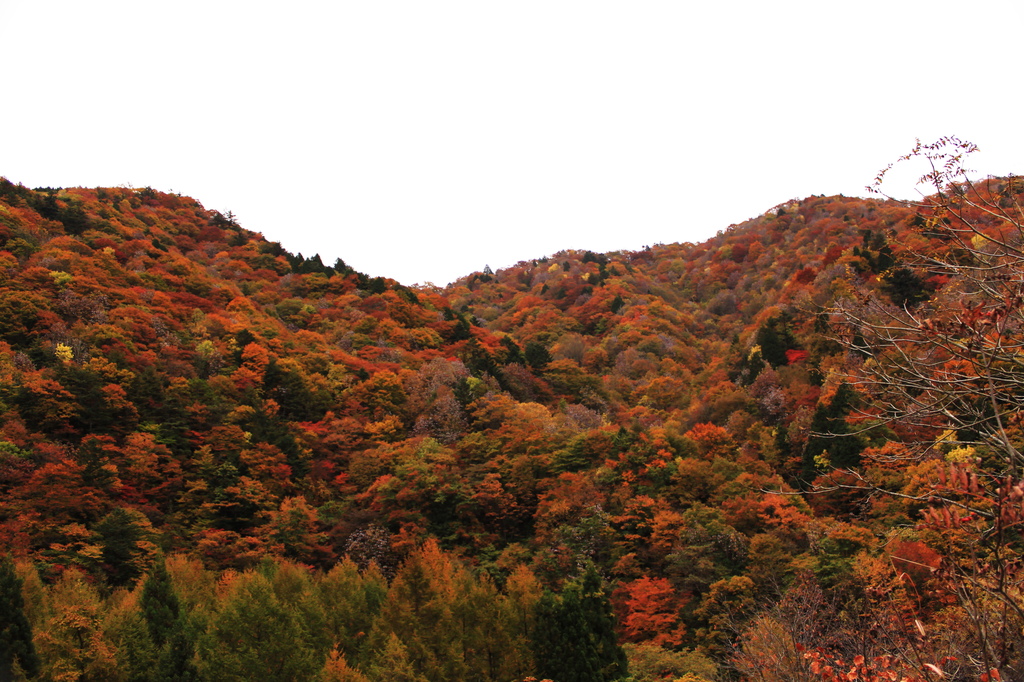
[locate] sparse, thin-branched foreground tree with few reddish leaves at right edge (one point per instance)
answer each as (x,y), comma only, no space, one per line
(947,374)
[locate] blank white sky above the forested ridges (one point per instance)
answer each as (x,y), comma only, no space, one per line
(422,140)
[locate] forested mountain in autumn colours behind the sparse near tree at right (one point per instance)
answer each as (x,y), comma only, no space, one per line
(174,381)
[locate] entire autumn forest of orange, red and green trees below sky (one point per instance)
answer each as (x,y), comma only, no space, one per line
(791,453)
